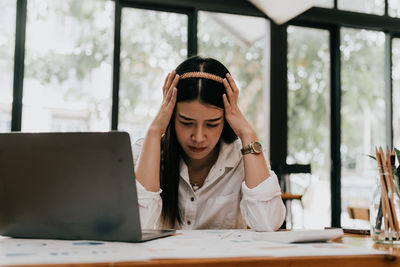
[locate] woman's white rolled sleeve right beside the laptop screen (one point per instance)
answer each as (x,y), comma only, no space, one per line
(150,203)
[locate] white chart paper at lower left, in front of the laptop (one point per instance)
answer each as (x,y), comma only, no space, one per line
(41,251)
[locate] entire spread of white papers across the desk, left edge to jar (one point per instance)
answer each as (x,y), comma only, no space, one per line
(183,245)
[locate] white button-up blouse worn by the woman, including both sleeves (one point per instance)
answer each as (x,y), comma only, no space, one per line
(223,202)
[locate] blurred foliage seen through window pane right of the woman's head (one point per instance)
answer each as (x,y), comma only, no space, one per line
(245,62)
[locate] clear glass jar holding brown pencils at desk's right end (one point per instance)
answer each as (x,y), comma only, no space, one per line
(385,210)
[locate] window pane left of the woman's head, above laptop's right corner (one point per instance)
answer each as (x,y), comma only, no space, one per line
(149,50)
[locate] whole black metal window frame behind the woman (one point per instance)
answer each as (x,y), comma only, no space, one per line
(330,19)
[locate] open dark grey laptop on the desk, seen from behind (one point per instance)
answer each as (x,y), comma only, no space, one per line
(70,186)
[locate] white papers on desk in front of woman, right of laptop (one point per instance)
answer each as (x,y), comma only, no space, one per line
(243,243)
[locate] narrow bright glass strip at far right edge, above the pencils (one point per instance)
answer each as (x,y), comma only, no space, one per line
(396,92)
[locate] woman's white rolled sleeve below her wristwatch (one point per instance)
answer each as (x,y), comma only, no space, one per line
(262,206)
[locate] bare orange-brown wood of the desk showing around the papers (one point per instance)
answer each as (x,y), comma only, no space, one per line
(326,261)
